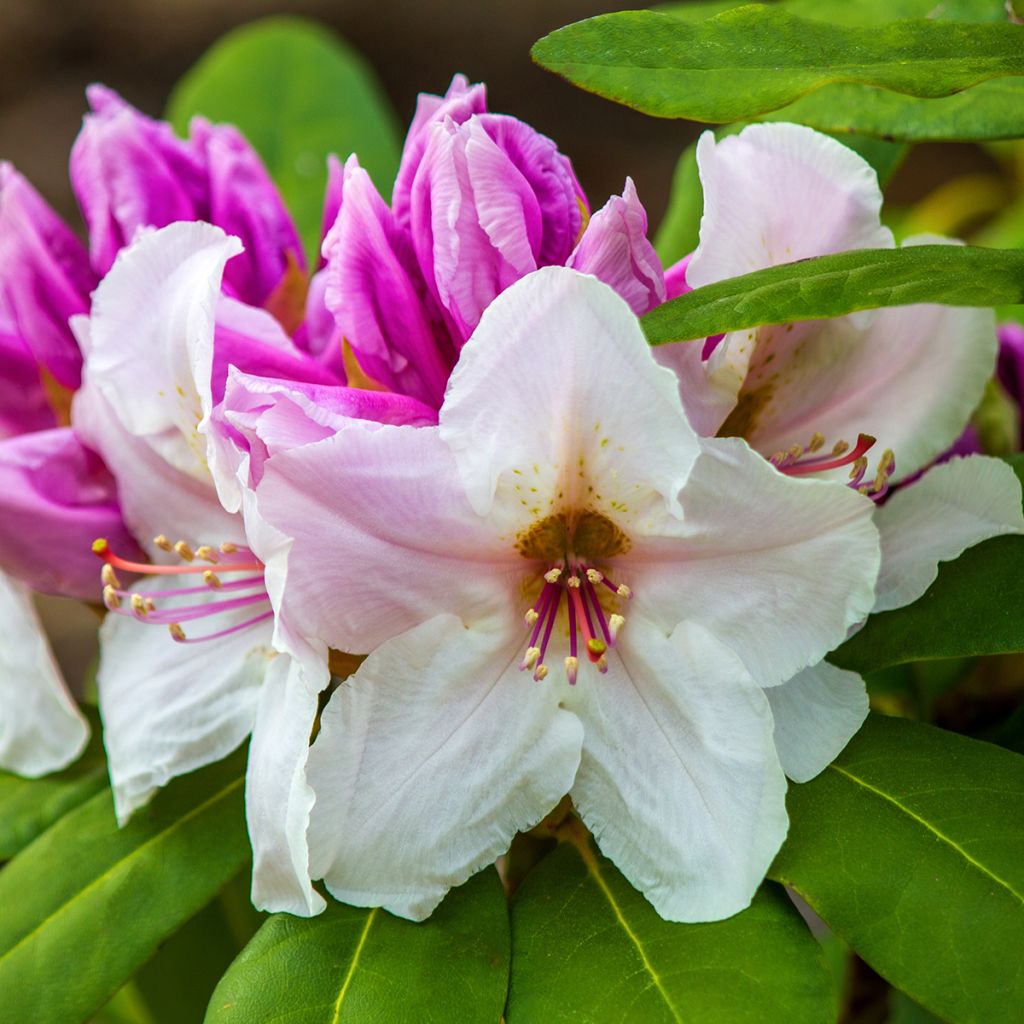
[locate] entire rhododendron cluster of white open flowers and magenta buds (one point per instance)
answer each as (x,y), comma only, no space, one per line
(568,564)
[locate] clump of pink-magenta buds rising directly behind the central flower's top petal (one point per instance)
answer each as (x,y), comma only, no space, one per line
(481,201)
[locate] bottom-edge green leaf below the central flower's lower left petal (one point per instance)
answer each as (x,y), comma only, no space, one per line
(352,966)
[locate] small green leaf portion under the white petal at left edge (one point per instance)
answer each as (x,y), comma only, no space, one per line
(30,806)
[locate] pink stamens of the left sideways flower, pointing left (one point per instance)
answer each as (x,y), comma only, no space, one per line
(151,607)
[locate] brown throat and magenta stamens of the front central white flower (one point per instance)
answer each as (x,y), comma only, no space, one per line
(569,544)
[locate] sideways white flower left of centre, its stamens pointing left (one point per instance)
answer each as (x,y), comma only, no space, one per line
(190,663)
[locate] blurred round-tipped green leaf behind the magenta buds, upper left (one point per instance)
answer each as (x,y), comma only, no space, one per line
(298,93)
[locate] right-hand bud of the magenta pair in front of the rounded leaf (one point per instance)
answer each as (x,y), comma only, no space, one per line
(243,200)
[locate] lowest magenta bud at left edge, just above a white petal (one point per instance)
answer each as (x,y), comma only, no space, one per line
(56,499)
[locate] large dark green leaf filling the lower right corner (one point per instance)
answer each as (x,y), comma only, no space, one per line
(910,847)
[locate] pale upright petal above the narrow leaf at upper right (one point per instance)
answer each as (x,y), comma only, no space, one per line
(780,193)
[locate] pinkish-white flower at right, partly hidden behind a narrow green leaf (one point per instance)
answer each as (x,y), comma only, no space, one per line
(820,399)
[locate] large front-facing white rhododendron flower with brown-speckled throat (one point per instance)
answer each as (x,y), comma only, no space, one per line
(563,589)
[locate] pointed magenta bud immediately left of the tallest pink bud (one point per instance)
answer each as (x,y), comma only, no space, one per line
(378,297)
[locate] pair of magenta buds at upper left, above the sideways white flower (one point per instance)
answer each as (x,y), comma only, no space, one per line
(131,172)
